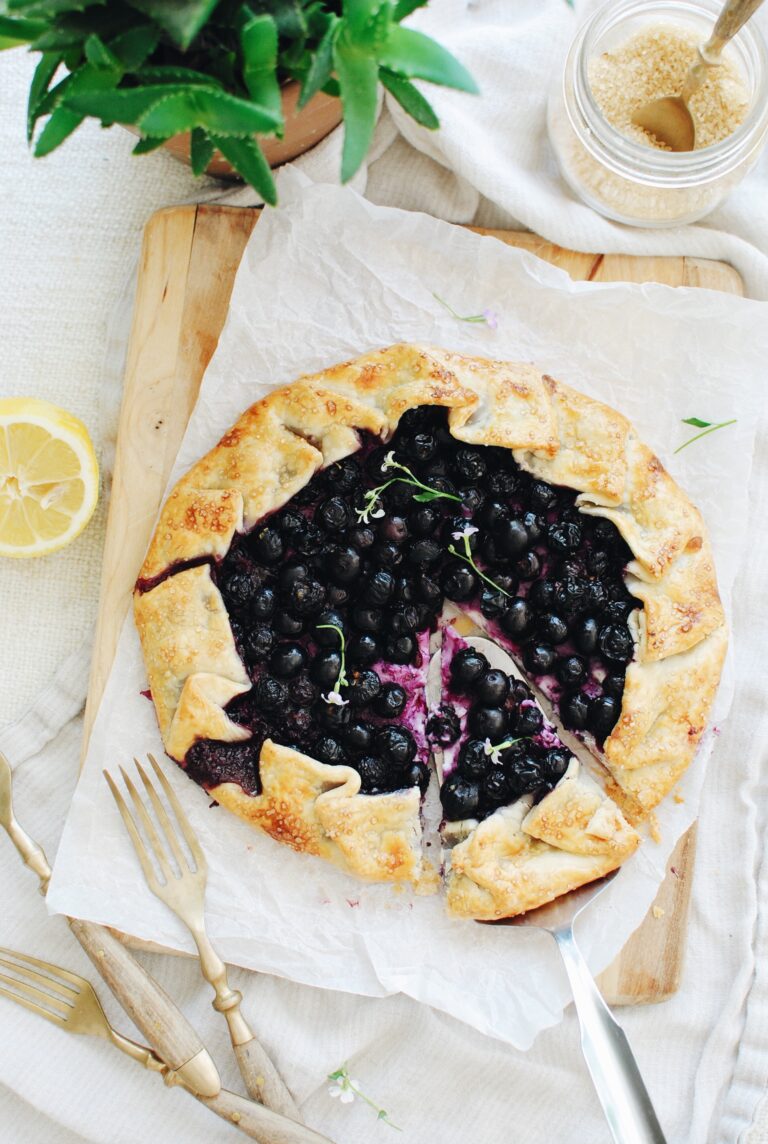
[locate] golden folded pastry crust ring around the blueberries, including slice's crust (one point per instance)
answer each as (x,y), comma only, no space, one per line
(521,855)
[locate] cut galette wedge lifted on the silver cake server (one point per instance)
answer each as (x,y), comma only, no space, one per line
(524,821)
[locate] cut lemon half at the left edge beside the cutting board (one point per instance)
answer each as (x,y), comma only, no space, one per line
(49,478)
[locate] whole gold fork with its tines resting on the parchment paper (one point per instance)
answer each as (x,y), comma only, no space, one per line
(183,889)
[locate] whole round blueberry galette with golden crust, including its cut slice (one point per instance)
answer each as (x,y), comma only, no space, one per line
(302,573)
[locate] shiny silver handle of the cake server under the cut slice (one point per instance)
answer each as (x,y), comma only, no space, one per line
(609,1059)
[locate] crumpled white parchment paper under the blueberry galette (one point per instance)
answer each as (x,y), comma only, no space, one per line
(327,277)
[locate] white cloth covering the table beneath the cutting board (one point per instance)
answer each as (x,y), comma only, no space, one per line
(69,236)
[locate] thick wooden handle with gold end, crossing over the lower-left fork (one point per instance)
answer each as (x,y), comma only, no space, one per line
(151,1008)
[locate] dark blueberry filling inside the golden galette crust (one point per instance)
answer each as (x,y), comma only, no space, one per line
(334,598)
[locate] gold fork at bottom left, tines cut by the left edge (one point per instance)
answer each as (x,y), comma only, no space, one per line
(70,1003)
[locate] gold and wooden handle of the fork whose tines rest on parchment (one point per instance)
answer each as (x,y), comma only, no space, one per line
(260,1076)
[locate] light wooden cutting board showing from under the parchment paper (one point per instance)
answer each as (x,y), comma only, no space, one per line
(188,264)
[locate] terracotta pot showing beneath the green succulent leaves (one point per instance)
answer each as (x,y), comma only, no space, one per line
(303,131)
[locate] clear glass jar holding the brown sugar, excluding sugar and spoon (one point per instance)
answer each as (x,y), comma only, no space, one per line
(626,180)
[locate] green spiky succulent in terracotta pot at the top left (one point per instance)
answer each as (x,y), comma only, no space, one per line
(218,80)
